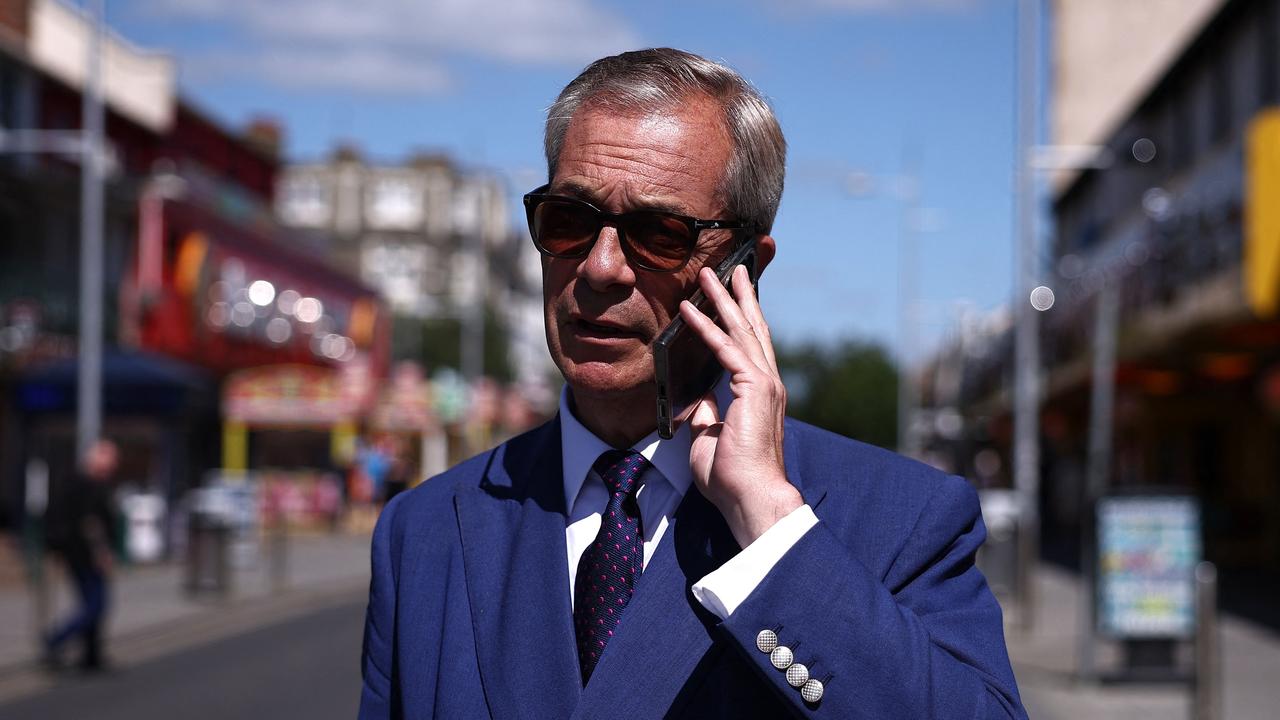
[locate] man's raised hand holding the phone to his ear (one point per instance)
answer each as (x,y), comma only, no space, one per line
(738,462)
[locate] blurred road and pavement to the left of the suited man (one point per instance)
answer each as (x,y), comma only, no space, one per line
(290,640)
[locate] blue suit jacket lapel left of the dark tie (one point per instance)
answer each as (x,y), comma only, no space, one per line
(513,530)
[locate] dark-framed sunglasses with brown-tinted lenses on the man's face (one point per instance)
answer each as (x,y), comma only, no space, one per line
(656,241)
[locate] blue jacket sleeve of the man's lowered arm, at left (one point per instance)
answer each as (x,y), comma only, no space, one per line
(378,695)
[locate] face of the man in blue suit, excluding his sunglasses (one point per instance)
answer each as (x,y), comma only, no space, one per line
(602,313)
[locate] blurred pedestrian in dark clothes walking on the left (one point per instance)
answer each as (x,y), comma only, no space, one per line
(83,526)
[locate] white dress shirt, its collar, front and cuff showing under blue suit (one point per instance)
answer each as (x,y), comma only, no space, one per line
(662,487)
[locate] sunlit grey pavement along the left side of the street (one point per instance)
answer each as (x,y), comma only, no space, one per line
(153,616)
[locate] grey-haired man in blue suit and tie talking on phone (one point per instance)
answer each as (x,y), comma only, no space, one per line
(751,567)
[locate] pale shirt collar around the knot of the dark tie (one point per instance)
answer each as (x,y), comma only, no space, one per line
(580,448)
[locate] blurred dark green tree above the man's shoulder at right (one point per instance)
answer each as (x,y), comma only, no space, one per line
(849,389)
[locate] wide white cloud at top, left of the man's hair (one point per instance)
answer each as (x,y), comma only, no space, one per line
(392,45)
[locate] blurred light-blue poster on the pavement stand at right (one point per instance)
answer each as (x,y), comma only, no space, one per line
(1149,548)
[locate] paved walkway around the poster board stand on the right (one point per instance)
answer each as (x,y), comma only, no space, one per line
(1046,658)
